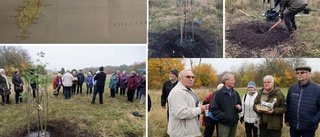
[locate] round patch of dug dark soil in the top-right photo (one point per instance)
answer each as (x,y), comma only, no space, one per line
(256,35)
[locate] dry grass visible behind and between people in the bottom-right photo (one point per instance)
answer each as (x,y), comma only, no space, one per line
(157,117)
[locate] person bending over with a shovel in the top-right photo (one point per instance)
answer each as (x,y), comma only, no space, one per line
(289,8)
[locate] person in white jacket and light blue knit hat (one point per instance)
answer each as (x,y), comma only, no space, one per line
(248,115)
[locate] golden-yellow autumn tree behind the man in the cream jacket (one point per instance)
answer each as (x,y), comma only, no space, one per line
(159,68)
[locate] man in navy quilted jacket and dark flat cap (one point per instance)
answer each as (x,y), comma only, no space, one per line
(303,103)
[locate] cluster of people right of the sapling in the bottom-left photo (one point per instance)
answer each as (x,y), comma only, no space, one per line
(73,82)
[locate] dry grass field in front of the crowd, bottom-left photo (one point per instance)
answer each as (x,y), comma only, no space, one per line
(111,119)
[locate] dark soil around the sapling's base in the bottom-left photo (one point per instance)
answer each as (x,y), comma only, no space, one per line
(58,128)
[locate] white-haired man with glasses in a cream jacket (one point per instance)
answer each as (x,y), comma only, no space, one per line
(184,108)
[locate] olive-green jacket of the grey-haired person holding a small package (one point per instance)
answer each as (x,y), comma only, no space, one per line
(275,120)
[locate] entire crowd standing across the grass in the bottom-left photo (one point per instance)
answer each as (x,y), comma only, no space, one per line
(72,83)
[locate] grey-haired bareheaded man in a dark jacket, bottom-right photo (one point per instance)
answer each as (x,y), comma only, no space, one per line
(225,106)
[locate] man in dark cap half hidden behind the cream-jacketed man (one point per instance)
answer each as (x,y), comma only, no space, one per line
(167,86)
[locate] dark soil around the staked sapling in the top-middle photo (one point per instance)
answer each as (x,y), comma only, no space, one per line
(167,45)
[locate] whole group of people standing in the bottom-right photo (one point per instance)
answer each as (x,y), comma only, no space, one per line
(263,111)
